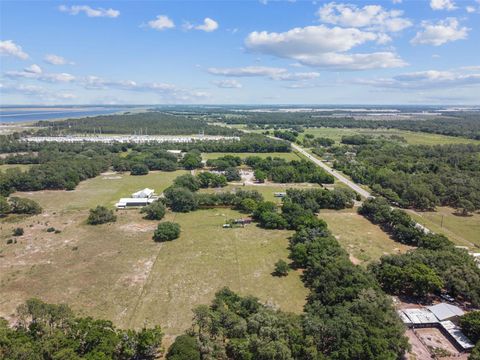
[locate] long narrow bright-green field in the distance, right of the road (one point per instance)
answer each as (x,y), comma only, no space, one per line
(414,138)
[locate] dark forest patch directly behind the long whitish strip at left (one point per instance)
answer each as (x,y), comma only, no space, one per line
(151,123)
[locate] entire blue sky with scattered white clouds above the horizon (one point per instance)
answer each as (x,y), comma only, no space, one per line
(240,52)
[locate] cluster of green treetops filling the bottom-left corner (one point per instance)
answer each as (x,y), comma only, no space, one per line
(48,331)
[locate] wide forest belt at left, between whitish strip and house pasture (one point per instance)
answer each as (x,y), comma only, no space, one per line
(64,165)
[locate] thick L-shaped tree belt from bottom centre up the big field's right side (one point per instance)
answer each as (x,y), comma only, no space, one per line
(347,316)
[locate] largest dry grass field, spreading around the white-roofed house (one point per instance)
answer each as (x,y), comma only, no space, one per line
(116,271)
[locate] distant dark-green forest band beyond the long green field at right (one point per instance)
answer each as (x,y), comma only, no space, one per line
(461,124)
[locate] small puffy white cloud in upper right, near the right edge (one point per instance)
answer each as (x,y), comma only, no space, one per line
(440,33)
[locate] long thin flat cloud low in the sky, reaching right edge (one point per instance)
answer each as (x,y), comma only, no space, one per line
(430,79)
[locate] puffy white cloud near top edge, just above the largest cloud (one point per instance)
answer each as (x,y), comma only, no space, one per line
(369,16)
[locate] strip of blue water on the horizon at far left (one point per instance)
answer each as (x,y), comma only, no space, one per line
(13,115)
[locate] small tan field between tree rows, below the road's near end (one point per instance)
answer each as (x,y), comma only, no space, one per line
(364,241)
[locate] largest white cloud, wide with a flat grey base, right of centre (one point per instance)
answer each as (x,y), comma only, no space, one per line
(325,47)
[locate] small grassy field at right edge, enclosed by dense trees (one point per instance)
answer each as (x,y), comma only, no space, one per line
(463,230)
